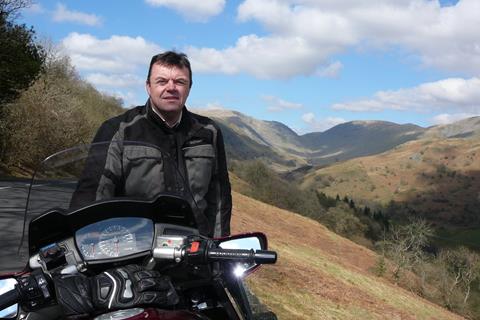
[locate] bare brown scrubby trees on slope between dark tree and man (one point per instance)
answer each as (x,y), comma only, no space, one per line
(59,110)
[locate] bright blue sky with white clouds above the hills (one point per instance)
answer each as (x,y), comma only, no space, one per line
(310,64)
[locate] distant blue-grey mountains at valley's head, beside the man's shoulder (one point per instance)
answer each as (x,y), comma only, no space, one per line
(285,150)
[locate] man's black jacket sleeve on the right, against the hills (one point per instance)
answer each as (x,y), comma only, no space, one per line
(219,196)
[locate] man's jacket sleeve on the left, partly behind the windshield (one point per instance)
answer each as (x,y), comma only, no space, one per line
(94,176)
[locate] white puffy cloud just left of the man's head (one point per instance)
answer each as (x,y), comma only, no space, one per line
(117,54)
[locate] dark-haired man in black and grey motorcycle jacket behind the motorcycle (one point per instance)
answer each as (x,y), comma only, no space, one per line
(190,145)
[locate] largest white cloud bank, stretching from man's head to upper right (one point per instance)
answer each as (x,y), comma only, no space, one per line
(303,35)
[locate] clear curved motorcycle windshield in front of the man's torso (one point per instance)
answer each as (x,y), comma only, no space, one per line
(81,176)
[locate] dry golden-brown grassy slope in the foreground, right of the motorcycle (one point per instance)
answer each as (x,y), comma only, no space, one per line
(320,275)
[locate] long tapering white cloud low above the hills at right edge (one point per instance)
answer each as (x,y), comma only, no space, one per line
(453,93)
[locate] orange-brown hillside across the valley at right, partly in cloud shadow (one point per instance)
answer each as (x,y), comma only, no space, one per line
(436,176)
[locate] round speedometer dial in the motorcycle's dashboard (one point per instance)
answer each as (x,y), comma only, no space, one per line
(116,241)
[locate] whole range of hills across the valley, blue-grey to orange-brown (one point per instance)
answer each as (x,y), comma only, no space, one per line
(399,168)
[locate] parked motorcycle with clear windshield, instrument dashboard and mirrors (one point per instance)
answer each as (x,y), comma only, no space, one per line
(159,233)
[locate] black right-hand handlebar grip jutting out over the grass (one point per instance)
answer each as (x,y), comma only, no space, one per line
(259,256)
